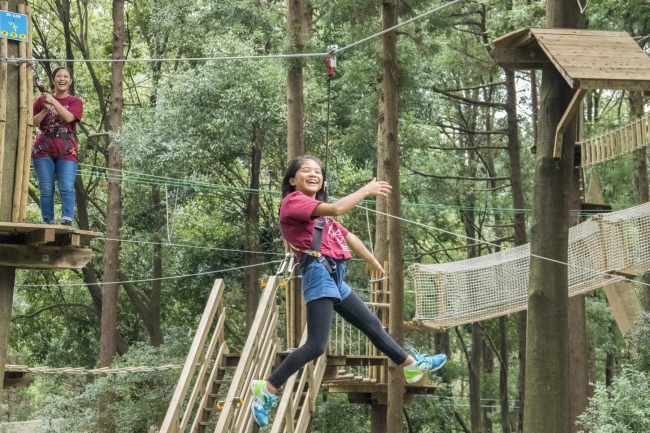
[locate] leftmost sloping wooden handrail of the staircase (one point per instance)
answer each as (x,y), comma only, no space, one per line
(177,419)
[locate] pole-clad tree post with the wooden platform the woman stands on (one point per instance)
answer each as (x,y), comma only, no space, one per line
(23,245)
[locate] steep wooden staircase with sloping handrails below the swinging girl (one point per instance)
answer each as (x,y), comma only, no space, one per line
(220,399)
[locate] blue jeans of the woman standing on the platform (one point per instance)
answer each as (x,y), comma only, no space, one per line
(65,173)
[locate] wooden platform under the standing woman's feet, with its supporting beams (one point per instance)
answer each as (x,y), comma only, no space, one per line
(44,246)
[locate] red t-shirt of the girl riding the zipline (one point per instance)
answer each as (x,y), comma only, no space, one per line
(297,227)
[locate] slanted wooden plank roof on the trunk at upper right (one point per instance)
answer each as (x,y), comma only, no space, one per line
(588,59)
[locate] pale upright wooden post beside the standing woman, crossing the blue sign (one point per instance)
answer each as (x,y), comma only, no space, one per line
(22,127)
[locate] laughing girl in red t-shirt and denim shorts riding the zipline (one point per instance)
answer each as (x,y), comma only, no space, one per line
(322,278)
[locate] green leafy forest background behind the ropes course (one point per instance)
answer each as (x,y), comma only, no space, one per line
(203,145)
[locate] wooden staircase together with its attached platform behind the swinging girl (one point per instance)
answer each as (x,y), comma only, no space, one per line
(220,399)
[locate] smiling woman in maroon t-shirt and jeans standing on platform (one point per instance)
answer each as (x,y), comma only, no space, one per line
(54,154)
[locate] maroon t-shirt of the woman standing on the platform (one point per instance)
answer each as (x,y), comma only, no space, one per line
(53,122)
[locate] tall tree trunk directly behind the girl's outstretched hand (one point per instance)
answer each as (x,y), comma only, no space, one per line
(395,254)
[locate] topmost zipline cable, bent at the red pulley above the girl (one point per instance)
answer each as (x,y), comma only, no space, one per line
(18,60)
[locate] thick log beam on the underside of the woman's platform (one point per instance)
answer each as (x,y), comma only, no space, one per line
(44,257)
